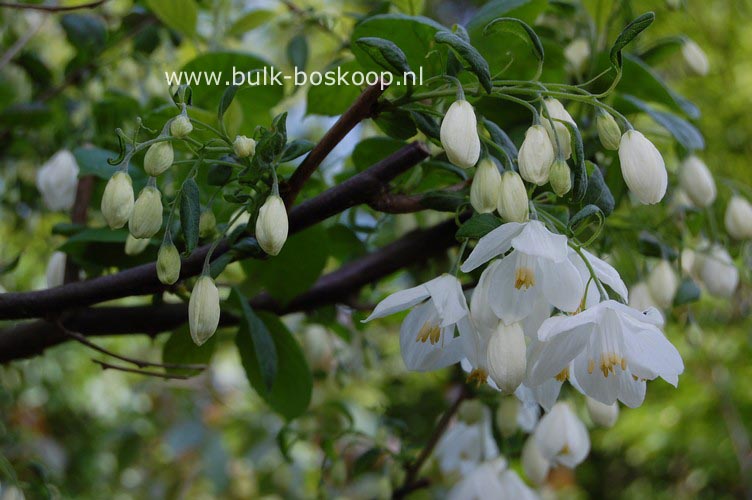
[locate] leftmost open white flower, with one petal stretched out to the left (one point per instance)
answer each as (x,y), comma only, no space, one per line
(427,334)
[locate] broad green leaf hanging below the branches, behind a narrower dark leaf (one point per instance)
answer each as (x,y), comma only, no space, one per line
(291,393)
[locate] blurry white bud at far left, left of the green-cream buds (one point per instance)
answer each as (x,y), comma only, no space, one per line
(57,180)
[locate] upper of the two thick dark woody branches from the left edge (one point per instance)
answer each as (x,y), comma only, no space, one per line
(142,280)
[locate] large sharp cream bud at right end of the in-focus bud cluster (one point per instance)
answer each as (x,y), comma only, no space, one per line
(642,167)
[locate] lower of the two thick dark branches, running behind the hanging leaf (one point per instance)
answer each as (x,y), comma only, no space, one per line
(32,338)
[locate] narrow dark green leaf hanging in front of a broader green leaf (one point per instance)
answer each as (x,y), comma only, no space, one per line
(261,340)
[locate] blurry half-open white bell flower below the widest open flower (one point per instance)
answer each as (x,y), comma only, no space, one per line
(561,437)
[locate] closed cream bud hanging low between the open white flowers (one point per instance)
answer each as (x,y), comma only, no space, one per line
(507,356)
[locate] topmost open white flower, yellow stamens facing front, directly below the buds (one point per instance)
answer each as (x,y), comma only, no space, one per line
(537,269)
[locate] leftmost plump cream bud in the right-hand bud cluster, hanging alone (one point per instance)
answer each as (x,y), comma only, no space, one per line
(459,134)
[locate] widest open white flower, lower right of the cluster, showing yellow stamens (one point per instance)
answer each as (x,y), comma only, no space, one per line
(614,349)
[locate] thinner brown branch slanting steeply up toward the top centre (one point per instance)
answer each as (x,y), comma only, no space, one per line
(364,107)
